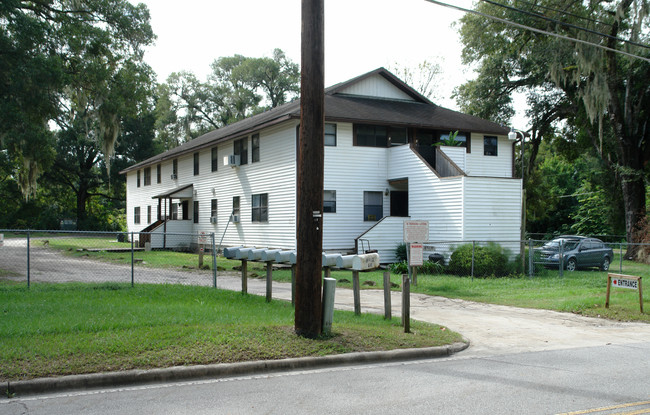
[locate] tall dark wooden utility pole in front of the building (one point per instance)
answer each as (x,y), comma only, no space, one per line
(308,316)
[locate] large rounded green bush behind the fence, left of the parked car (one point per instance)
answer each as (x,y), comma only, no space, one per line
(490,260)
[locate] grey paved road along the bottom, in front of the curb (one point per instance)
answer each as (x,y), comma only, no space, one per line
(547,382)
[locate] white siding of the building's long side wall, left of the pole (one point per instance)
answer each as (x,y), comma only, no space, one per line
(274,174)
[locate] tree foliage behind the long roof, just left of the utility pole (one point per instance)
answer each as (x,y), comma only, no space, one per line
(237,88)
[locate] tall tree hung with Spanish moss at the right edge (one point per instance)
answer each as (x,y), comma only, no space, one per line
(593,89)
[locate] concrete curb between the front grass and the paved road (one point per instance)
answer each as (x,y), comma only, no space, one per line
(177,373)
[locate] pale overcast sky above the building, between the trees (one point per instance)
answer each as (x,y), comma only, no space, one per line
(360,36)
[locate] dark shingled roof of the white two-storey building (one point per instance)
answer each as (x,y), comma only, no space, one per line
(420,113)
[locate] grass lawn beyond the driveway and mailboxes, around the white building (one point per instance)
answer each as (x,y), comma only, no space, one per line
(580,292)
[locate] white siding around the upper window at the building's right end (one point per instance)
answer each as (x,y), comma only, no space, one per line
(478,164)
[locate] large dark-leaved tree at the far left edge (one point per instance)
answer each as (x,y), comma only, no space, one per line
(76,65)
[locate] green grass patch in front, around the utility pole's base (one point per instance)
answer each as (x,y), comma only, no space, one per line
(67,329)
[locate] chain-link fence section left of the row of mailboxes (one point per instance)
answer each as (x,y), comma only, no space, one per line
(56,256)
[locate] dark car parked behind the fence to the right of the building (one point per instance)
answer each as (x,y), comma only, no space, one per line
(579,252)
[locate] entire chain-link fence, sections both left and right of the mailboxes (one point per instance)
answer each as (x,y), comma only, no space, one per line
(187,258)
